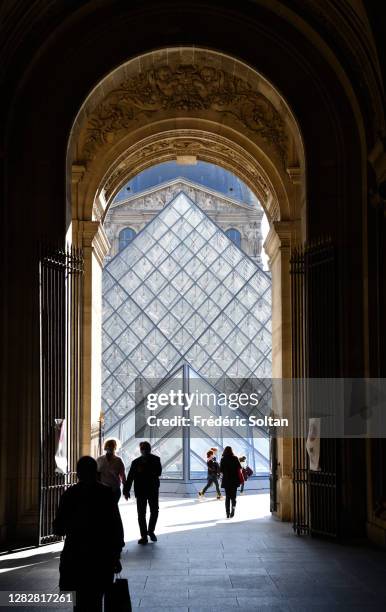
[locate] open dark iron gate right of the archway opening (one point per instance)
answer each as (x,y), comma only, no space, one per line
(313,295)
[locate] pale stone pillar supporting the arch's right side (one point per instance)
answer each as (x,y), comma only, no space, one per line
(281,236)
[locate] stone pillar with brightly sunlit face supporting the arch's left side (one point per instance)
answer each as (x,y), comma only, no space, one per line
(90,236)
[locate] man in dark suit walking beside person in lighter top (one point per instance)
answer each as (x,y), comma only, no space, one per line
(145,472)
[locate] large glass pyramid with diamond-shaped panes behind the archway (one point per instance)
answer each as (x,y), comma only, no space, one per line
(182,293)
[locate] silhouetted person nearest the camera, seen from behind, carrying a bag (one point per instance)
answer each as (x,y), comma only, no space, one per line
(89,518)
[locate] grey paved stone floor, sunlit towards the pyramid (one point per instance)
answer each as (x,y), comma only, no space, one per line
(204,562)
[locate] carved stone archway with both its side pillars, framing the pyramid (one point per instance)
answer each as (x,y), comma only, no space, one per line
(186,102)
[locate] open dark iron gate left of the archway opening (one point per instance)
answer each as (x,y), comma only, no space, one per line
(60,275)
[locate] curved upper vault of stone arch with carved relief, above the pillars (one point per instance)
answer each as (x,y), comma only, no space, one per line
(181,90)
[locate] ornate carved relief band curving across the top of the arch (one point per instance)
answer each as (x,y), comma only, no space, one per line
(187,88)
